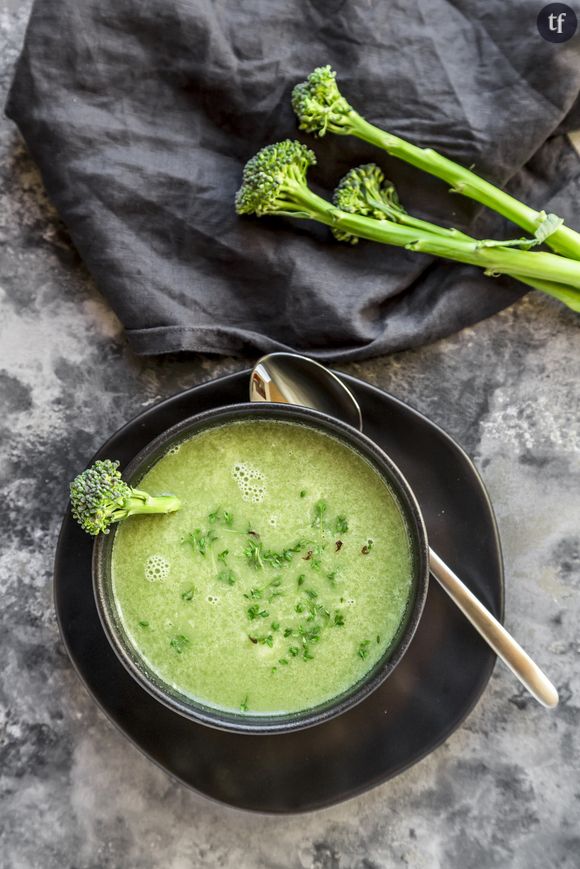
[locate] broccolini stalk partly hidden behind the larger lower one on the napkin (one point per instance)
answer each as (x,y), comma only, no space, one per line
(365,190)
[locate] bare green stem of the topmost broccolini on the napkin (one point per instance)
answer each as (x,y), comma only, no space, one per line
(563,240)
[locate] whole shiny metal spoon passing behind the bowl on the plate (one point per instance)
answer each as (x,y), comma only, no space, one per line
(293,379)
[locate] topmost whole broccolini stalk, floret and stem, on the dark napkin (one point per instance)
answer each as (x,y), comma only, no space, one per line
(321,108)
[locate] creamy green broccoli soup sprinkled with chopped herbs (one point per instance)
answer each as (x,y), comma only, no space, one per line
(282,579)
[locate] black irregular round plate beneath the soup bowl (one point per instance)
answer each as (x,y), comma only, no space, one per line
(438,682)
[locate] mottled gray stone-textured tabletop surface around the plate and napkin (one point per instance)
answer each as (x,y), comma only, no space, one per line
(502,792)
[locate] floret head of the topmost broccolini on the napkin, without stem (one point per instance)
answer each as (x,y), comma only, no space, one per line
(320,106)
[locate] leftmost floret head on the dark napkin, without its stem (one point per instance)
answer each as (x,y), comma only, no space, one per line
(274,181)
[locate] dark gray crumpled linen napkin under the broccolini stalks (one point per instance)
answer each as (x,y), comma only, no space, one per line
(141,114)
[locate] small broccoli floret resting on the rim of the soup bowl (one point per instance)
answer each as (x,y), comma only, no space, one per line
(99,496)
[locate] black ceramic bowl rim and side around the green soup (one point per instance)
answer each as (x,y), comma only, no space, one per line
(247,723)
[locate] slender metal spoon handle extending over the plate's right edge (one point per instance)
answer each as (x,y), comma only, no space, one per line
(503,644)
